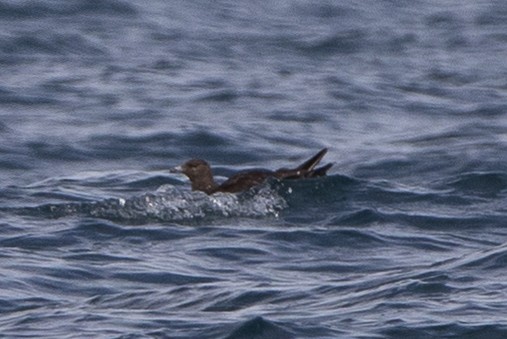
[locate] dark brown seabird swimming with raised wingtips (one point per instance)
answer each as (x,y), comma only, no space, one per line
(201,177)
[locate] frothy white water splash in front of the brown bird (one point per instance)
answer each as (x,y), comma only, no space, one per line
(172,204)
